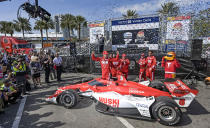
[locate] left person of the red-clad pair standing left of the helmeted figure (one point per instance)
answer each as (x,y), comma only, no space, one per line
(142,63)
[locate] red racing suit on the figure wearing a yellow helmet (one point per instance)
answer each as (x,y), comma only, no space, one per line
(170,67)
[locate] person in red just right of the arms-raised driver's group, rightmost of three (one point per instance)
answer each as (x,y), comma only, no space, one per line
(124,65)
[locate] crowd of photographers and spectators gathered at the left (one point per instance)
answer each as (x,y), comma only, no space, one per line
(16,70)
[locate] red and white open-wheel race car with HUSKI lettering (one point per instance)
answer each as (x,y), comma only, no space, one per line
(154,100)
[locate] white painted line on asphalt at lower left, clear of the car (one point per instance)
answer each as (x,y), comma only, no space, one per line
(19,113)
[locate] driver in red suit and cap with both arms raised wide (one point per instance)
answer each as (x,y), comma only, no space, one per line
(105,64)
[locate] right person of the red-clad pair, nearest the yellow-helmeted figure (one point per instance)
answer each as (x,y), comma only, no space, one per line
(150,66)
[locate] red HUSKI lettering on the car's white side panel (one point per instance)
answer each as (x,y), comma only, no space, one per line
(111,102)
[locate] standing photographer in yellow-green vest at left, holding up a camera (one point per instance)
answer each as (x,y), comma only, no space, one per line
(19,70)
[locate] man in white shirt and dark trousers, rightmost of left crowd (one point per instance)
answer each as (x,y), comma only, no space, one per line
(58,66)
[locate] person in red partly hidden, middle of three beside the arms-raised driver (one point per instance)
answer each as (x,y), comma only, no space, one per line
(114,64)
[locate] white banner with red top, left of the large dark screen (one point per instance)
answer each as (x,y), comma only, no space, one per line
(96,31)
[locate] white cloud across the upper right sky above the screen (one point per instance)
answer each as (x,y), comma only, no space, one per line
(153,6)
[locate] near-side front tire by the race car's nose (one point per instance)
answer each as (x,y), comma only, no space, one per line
(69,98)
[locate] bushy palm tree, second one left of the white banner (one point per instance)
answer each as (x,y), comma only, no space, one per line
(68,21)
